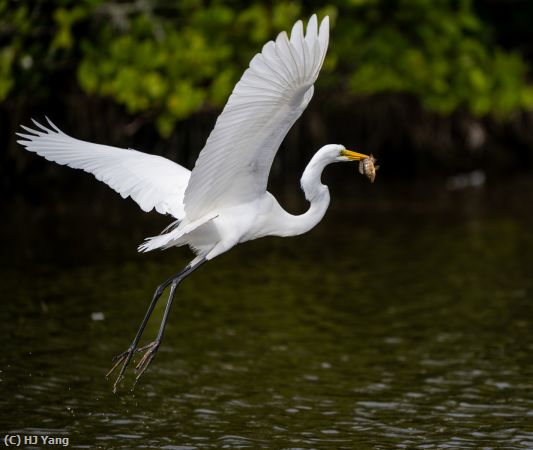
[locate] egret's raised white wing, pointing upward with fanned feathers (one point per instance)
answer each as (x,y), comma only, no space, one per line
(234,165)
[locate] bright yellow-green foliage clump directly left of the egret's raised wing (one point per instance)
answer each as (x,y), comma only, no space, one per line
(175,64)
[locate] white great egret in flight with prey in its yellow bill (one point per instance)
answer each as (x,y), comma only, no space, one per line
(224,200)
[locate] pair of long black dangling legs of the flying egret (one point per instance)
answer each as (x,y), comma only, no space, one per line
(125,357)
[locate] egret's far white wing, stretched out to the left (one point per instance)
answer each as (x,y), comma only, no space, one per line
(151,180)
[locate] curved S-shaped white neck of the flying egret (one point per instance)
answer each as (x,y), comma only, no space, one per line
(316,193)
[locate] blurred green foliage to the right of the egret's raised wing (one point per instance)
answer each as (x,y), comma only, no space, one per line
(438,51)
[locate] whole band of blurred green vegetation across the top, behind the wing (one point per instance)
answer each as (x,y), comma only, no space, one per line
(169,60)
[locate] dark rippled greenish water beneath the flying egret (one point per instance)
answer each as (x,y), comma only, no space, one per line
(405,320)
